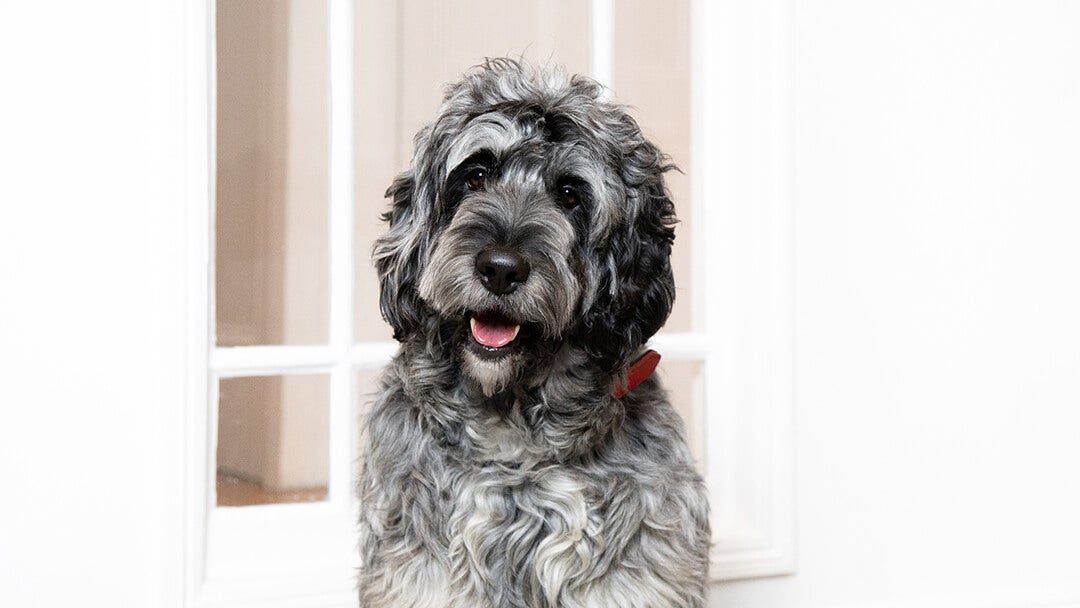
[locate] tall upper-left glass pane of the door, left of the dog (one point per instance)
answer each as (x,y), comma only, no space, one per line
(272,247)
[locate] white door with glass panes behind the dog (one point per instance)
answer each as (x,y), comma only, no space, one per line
(316,107)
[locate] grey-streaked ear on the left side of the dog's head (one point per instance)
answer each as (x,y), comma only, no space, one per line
(398,255)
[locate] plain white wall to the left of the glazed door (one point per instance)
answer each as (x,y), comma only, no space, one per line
(91,300)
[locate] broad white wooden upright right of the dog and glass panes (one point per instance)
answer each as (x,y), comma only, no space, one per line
(742,188)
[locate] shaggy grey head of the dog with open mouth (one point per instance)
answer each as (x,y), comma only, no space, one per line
(534,218)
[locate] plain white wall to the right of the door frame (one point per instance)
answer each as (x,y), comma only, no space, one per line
(938,387)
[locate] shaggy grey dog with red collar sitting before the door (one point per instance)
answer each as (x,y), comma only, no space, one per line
(525,266)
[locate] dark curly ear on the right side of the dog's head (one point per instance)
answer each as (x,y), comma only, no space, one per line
(638,290)
